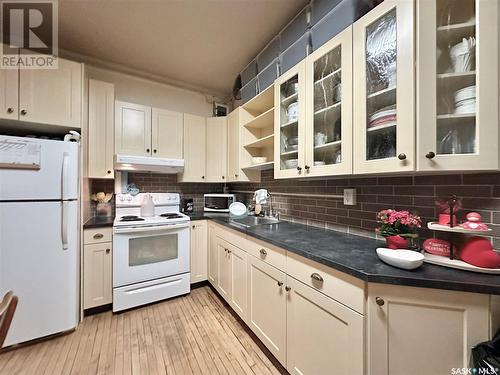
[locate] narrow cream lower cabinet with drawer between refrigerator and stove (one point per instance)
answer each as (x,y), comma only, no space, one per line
(97,268)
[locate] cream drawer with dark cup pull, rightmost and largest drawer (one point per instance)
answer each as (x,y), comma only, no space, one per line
(342,287)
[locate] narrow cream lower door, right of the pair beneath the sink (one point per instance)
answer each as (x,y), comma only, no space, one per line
(239,281)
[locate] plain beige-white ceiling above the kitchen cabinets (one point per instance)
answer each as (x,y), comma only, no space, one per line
(200,44)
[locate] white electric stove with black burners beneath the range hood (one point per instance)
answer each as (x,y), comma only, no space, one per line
(150,254)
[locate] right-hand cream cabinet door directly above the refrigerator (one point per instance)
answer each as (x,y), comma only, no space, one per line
(52,96)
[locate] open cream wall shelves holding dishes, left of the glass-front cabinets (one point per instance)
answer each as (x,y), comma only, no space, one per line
(257,133)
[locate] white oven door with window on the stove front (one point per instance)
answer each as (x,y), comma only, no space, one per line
(147,253)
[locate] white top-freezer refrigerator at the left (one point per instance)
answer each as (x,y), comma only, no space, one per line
(39,235)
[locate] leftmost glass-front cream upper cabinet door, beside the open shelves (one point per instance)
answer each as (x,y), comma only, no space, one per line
(289,123)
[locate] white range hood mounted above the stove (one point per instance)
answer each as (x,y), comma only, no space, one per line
(148,164)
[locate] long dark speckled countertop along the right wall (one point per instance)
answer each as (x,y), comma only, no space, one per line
(356,256)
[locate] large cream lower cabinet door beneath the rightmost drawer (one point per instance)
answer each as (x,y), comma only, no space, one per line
(332,333)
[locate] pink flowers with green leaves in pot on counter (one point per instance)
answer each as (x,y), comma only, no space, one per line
(402,223)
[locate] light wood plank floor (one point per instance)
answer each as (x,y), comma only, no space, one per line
(193,334)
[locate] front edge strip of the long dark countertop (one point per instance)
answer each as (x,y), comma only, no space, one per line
(367,277)
